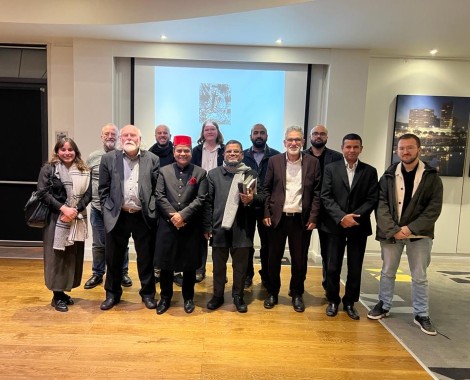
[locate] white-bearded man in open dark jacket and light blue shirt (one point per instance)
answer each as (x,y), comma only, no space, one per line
(127,182)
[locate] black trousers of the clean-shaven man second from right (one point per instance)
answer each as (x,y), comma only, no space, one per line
(335,246)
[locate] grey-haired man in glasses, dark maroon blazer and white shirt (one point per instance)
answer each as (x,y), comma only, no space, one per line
(292,187)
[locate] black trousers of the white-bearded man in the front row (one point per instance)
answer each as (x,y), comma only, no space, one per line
(115,250)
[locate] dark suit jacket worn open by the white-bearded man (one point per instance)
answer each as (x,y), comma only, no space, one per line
(111,186)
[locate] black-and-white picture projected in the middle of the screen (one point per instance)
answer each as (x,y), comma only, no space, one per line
(215,103)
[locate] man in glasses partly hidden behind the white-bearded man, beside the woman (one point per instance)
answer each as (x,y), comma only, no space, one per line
(109,135)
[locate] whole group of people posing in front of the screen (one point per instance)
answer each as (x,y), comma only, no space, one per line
(175,198)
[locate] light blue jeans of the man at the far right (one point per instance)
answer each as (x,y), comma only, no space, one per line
(419,258)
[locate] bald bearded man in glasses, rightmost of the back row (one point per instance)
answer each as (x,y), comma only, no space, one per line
(318,139)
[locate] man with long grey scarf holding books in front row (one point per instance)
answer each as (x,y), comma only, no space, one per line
(229,214)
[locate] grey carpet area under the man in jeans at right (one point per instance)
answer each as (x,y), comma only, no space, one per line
(447,355)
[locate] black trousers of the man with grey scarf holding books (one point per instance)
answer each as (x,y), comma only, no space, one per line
(239,264)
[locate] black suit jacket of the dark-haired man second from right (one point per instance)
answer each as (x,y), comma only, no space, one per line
(338,199)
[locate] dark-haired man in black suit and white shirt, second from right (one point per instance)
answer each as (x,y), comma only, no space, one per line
(349,194)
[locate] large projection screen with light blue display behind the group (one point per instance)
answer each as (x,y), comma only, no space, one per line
(184,94)
